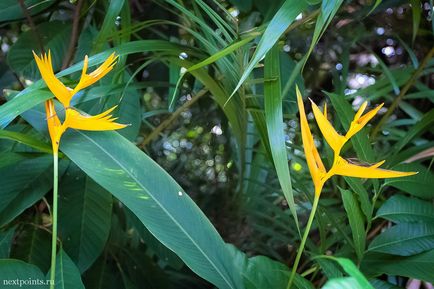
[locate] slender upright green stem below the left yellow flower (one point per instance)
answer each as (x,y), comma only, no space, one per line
(54,219)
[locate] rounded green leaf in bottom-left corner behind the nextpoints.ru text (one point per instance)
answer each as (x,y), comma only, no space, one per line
(18,274)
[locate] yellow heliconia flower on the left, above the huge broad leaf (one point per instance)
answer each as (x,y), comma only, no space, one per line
(73,118)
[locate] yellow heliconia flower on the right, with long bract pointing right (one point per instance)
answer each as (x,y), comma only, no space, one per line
(336,141)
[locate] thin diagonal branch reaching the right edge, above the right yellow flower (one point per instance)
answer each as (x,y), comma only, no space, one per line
(402,93)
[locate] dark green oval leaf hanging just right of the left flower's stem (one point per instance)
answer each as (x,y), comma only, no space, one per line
(84,217)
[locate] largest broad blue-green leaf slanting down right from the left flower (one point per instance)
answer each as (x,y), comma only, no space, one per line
(156,199)
